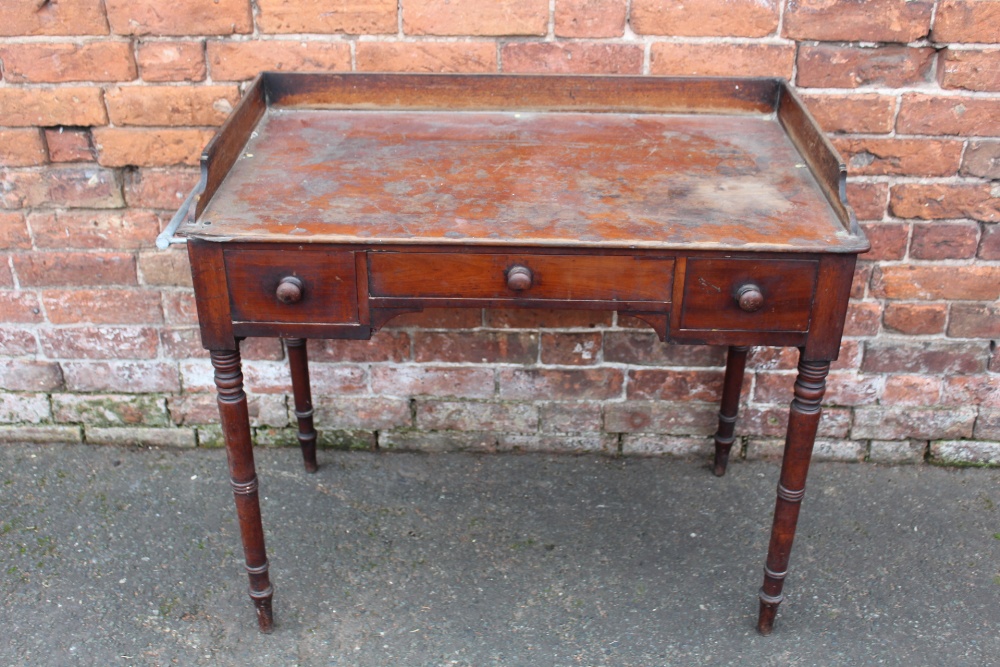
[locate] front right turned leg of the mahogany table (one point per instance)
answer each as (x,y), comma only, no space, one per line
(803,419)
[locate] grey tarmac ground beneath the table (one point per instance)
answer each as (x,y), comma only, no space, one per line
(126,557)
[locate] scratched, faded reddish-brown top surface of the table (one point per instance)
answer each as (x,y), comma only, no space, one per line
(531,178)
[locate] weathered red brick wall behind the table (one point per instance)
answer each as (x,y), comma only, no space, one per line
(106,104)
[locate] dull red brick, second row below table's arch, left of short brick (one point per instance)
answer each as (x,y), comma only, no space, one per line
(476,347)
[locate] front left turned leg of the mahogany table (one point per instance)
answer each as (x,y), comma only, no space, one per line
(239,451)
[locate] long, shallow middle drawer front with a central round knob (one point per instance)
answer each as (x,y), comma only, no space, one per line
(516,276)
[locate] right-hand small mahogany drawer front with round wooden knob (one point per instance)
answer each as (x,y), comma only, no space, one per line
(776,295)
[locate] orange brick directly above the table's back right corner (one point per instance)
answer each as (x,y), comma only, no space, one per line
(722,59)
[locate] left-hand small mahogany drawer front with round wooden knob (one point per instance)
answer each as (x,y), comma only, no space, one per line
(325,280)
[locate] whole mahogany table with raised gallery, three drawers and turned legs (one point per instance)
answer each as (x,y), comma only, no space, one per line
(712,209)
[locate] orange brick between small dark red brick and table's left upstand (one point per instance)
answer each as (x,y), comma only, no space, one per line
(121,147)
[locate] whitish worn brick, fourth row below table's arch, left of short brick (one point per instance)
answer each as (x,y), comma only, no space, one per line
(477,416)
